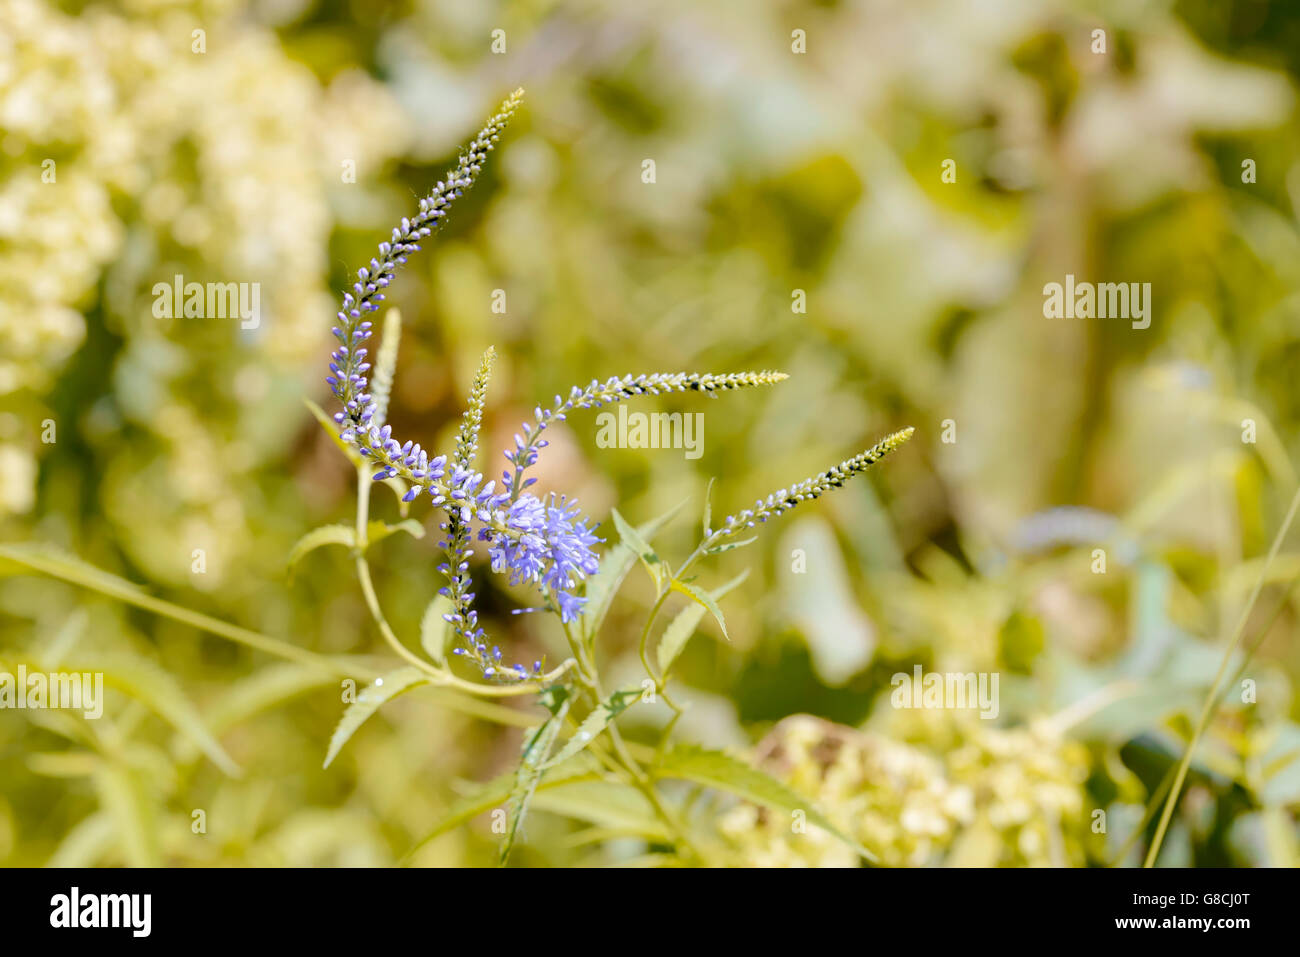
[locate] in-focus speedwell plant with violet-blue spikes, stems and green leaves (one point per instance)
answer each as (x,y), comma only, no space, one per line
(547,543)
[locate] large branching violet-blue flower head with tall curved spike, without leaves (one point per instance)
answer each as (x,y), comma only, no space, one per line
(548,544)
